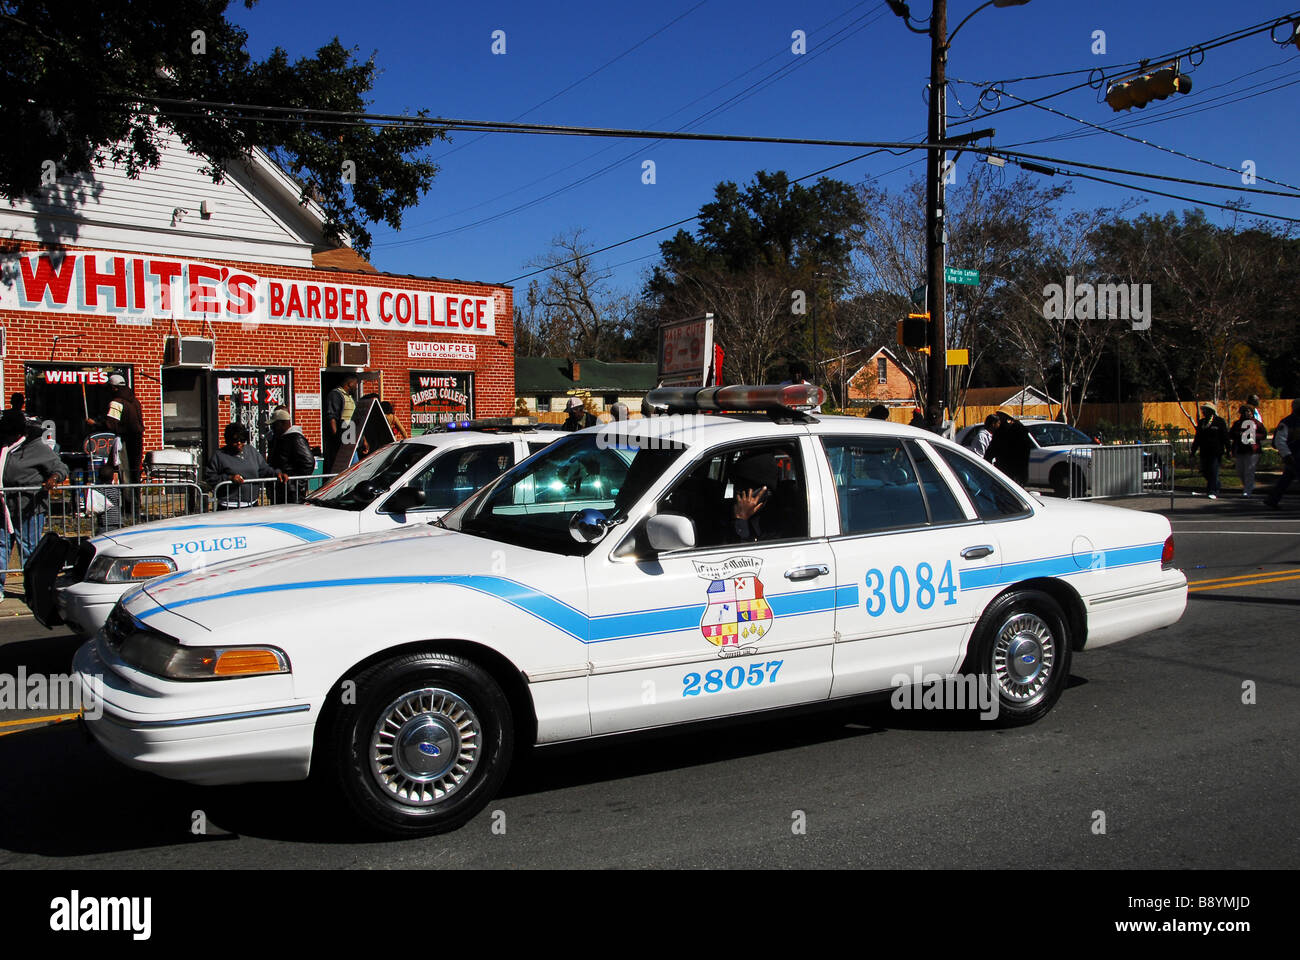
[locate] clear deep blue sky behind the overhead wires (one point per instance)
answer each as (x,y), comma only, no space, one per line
(500,200)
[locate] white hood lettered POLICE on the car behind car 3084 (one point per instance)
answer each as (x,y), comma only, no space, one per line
(280,526)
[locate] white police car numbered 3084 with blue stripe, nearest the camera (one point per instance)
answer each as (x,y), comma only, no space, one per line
(608,585)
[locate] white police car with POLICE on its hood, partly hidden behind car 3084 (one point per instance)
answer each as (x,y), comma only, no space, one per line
(417,481)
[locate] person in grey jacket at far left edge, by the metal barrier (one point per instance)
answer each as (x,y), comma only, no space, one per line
(27,460)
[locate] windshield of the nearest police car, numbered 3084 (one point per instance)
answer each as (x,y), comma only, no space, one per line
(532,504)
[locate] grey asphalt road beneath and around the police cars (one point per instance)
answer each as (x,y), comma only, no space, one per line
(1152,733)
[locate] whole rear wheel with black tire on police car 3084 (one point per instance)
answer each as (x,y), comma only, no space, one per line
(1016,626)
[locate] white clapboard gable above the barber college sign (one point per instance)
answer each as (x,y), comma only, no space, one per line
(254,213)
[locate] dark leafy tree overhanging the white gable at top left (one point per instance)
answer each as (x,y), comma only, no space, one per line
(86,83)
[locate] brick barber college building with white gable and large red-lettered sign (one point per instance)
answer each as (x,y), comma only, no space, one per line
(219,302)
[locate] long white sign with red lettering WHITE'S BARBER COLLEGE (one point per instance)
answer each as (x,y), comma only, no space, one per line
(138,289)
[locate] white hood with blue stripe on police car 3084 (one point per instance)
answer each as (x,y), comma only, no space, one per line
(353,573)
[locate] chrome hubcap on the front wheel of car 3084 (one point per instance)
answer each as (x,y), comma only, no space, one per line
(426,746)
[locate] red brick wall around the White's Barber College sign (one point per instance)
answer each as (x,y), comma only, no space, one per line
(31,339)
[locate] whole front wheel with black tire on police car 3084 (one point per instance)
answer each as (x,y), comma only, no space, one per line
(402,781)
